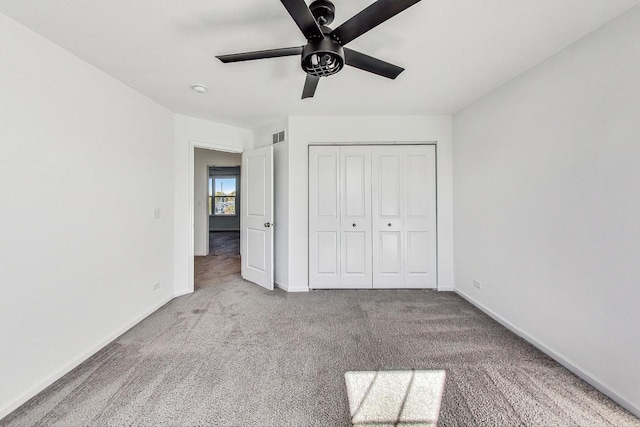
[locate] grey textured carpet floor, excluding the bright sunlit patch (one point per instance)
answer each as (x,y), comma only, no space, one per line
(234,354)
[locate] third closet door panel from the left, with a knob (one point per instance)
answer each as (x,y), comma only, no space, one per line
(387,207)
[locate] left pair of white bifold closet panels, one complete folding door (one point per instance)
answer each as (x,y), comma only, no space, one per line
(340,217)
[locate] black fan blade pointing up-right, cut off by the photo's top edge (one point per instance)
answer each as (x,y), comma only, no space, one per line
(369,18)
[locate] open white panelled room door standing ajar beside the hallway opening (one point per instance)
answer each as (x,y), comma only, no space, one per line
(257,216)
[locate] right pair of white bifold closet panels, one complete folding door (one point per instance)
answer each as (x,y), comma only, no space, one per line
(404,216)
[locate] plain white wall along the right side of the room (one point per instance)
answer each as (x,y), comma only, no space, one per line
(547,206)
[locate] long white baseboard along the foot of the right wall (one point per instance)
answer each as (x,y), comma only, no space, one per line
(564,361)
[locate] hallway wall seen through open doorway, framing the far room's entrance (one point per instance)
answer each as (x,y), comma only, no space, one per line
(202,160)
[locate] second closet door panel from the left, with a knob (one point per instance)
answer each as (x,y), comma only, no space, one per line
(355,184)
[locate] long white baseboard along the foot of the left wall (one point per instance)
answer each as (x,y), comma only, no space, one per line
(15,404)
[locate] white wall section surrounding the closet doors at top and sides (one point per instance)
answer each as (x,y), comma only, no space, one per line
(320,130)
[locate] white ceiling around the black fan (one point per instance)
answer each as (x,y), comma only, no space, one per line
(454,51)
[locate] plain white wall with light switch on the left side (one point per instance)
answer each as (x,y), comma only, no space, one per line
(84,161)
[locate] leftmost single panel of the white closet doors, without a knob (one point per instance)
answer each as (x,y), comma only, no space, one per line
(324,217)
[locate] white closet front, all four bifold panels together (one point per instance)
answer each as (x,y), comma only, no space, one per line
(372,216)
